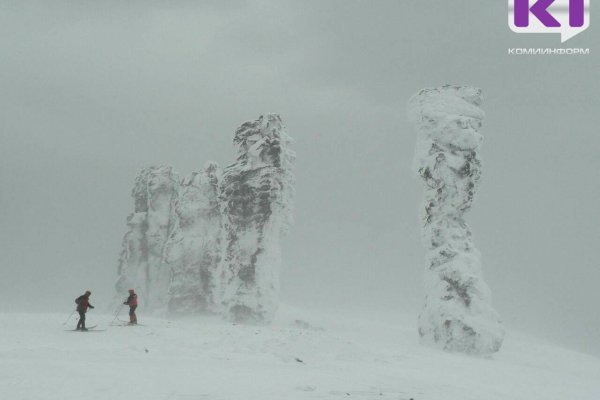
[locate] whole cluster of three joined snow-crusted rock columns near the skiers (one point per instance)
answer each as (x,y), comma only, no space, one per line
(211,243)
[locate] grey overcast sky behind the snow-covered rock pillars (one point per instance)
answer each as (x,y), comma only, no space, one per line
(91,92)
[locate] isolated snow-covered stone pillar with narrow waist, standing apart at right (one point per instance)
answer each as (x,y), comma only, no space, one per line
(457,315)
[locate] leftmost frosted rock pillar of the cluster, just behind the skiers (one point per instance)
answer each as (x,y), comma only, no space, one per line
(141,263)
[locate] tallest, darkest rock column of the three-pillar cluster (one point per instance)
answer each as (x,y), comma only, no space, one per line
(256,196)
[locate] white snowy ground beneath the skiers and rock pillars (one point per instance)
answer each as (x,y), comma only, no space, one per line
(320,357)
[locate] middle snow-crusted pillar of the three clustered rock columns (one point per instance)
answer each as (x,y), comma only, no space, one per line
(194,247)
